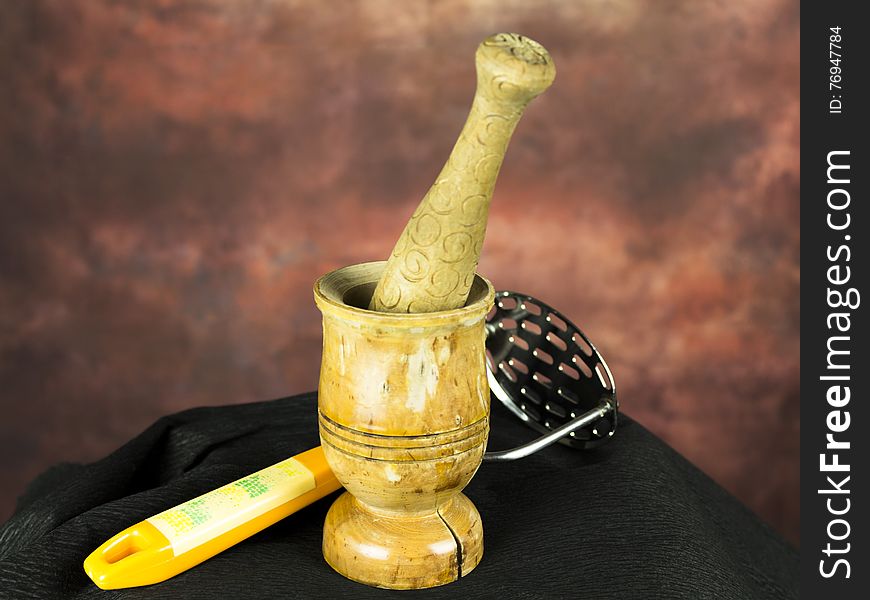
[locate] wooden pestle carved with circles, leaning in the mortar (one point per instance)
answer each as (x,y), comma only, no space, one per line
(432,265)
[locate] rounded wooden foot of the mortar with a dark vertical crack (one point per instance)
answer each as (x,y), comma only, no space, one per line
(401,551)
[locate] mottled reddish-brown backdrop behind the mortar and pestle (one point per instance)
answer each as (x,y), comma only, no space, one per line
(174,176)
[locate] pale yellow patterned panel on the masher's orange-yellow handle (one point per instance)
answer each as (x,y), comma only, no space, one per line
(197,521)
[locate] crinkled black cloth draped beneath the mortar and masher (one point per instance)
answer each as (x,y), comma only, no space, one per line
(632,519)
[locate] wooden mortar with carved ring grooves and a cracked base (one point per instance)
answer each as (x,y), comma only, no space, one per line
(404,419)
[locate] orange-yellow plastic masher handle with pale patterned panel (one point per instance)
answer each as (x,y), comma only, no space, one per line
(184,536)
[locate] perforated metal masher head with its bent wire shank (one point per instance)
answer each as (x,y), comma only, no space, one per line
(547,372)
